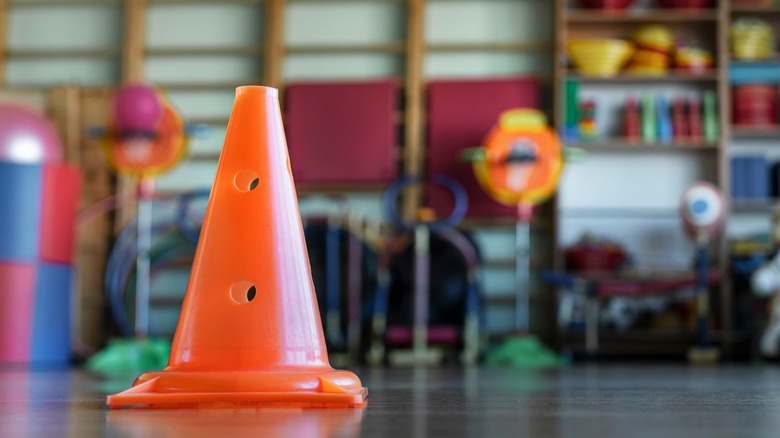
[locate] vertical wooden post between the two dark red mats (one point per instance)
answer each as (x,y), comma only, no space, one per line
(414,155)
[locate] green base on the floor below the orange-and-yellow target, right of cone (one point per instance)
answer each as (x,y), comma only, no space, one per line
(523,352)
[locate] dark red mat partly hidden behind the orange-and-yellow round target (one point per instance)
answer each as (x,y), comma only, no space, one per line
(460,114)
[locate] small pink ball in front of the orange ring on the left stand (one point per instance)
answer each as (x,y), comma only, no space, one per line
(137,108)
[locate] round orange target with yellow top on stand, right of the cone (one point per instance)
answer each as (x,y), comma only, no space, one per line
(521,160)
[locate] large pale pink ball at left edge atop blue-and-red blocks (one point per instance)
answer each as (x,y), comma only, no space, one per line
(26,136)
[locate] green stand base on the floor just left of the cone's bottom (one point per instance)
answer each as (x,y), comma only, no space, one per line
(130,357)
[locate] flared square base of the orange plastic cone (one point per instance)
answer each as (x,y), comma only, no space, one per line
(272,389)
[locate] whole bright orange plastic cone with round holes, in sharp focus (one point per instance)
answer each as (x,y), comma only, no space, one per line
(249,333)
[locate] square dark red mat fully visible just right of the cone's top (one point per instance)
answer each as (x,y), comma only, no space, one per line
(342,132)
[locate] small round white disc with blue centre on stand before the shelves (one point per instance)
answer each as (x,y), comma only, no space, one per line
(702,208)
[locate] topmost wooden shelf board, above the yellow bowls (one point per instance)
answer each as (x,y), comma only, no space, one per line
(633,16)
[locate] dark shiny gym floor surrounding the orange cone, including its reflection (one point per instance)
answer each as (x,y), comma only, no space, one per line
(581,401)
